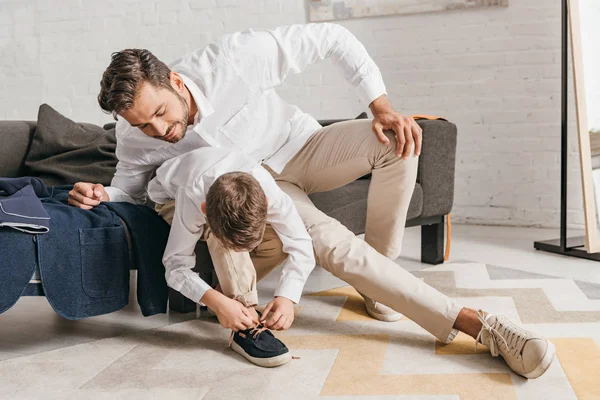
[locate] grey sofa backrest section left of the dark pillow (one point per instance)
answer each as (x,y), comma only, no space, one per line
(15,138)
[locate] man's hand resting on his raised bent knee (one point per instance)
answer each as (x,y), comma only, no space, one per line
(406,129)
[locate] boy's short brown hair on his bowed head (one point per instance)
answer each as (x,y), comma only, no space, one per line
(236,211)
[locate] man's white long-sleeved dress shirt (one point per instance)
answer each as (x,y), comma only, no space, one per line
(233,83)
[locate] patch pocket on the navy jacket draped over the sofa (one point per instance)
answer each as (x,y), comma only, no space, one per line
(104,261)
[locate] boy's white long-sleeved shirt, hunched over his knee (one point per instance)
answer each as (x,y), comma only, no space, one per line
(186,179)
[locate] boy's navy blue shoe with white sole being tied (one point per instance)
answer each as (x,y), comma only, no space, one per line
(259,346)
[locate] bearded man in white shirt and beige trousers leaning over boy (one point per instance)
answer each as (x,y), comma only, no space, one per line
(223,95)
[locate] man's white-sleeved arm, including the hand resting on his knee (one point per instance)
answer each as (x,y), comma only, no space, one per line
(265,58)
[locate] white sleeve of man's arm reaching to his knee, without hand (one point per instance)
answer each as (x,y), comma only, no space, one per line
(267,57)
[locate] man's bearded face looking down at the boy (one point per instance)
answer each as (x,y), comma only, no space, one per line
(159,113)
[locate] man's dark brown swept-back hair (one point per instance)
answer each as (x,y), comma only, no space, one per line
(128,70)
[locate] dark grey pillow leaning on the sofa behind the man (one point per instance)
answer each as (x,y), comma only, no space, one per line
(65,152)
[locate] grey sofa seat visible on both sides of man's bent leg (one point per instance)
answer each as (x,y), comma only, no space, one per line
(348,204)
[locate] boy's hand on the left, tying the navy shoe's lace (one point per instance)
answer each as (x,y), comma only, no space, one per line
(231,313)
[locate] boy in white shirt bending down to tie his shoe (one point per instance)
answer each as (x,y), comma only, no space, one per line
(231,202)
